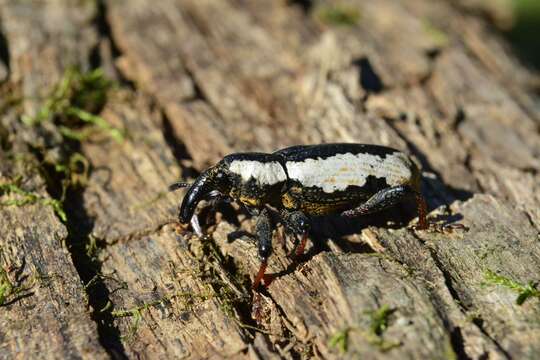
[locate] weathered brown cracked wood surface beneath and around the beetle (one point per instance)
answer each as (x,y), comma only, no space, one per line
(199,79)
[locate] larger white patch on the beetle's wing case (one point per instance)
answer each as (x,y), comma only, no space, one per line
(337,172)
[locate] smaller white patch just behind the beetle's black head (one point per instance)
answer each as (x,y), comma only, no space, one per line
(266,173)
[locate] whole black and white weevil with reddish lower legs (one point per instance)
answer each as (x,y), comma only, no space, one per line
(307,180)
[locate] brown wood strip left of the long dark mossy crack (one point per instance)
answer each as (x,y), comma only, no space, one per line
(47,316)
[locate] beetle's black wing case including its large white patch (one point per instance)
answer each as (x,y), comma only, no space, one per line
(335,167)
